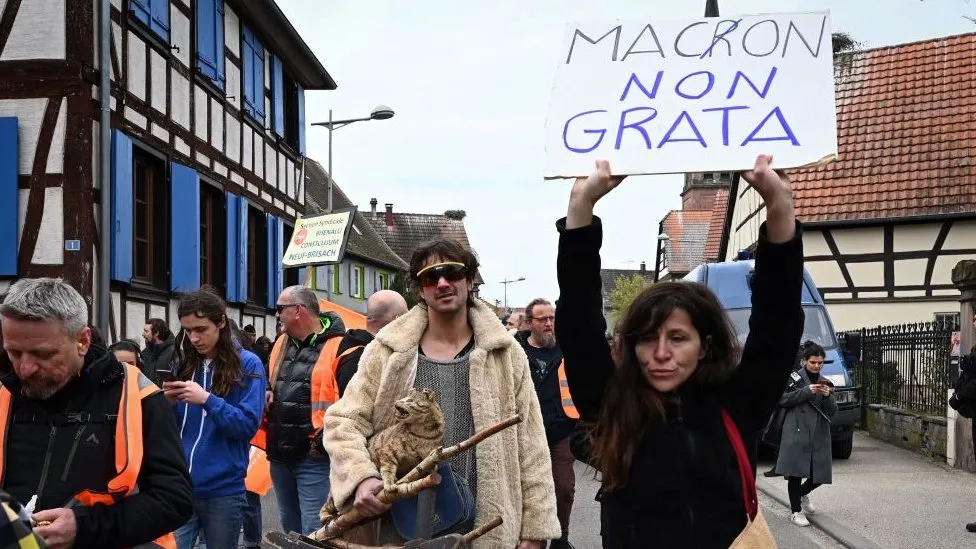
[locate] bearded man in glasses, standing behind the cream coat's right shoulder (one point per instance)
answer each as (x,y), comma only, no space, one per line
(538,338)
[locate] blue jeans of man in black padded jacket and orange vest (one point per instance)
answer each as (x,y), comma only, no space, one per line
(301,488)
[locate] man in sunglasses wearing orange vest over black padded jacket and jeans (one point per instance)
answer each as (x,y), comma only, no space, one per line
(299,464)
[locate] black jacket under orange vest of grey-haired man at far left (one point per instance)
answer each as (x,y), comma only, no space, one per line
(65,444)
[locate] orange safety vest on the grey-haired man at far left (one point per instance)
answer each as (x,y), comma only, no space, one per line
(128,448)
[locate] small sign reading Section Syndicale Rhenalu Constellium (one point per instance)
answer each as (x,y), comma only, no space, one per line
(319,240)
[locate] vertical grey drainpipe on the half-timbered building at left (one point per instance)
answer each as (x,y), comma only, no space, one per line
(104,168)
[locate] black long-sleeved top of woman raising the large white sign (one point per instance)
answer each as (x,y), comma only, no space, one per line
(684,488)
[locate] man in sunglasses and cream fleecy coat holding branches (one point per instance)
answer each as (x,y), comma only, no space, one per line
(454,345)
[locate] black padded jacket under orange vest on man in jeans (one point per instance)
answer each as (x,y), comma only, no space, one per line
(290,417)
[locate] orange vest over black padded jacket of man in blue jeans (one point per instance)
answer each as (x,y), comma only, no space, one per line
(325,388)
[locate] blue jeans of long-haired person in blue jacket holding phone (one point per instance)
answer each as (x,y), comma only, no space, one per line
(218,520)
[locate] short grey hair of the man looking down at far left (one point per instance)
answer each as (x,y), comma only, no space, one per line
(45,299)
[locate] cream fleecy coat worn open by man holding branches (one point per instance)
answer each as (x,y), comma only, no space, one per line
(514,473)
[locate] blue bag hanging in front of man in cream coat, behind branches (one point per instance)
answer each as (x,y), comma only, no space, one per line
(453,506)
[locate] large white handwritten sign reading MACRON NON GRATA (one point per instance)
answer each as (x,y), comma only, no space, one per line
(698,95)
